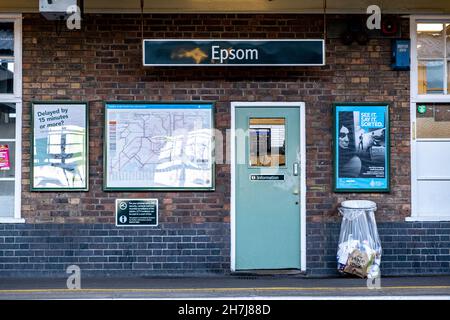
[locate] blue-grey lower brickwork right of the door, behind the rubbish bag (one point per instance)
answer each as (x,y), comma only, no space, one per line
(409,248)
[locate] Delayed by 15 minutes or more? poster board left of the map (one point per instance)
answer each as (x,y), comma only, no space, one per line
(59,146)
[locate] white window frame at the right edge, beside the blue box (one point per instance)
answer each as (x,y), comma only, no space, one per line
(415,98)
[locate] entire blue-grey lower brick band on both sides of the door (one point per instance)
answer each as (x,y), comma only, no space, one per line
(199,249)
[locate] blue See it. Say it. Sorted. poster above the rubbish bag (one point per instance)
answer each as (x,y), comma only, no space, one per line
(361,148)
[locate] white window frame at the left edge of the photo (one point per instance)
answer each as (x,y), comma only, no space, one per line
(16,98)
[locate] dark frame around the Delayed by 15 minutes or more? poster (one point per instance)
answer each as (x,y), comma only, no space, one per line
(85,151)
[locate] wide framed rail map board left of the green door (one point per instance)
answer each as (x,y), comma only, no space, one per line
(159,146)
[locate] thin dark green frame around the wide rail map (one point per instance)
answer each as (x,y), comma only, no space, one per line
(150,188)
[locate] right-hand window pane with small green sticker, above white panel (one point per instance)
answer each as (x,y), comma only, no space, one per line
(433,120)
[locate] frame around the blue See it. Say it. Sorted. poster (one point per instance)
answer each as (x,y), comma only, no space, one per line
(335,144)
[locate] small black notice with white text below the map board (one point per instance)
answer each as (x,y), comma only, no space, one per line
(136,212)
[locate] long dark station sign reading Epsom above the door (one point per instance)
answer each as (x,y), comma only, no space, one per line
(263,52)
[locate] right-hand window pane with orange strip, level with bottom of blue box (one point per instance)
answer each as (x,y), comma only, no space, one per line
(431,77)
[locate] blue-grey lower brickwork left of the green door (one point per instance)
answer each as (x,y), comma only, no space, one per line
(103,250)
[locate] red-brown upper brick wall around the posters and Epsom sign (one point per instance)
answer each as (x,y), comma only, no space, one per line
(103,62)
